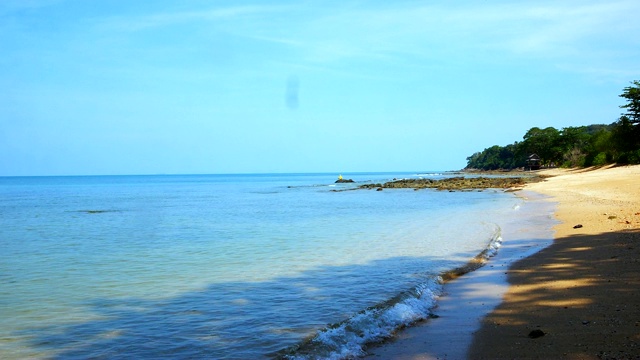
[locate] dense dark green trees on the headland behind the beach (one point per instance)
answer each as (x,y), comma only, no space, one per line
(591,145)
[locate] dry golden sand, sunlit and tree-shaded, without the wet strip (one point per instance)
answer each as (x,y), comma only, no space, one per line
(581,292)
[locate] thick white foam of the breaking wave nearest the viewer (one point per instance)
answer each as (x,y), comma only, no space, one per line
(348,339)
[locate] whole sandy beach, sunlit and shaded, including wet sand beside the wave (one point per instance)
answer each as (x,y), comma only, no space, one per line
(581,293)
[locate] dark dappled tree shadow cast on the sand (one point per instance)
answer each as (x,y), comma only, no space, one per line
(577,299)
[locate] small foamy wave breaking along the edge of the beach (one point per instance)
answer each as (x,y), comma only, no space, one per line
(348,339)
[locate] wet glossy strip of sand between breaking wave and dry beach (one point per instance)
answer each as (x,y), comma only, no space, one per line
(468,298)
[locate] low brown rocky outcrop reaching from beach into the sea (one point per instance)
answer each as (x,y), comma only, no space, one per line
(456,183)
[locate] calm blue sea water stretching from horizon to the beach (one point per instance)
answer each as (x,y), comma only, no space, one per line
(226,266)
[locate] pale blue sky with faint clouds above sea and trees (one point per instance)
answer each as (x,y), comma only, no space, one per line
(205,87)
